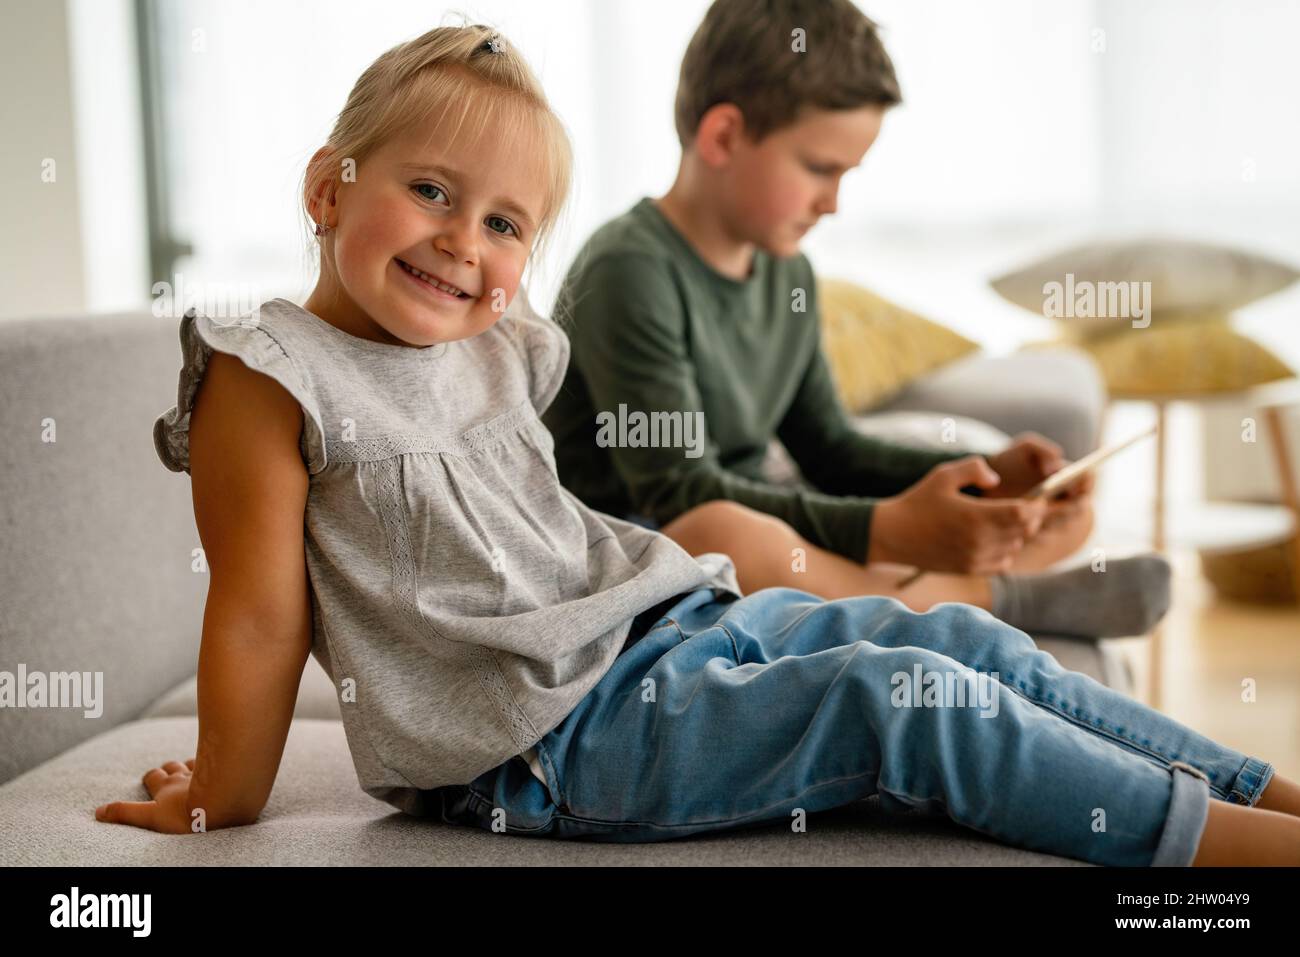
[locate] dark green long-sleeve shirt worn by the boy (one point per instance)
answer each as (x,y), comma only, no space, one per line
(657,330)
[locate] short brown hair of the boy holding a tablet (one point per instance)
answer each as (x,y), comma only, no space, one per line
(753,54)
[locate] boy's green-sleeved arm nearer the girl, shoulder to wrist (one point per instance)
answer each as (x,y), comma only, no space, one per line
(630,341)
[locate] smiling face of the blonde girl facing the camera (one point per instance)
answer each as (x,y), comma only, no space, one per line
(462,213)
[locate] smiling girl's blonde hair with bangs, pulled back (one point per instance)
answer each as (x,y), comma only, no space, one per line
(452,73)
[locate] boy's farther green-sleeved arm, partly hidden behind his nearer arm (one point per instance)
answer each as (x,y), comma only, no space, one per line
(839,460)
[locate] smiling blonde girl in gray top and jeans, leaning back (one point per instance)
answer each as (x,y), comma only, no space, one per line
(504,655)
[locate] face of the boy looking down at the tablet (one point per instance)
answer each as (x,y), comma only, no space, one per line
(779,188)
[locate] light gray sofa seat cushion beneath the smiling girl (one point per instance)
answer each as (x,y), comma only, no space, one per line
(318,816)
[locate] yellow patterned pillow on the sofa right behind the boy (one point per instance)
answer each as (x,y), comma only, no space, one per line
(876,348)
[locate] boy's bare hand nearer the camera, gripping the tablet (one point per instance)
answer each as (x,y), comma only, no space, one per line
(935,527)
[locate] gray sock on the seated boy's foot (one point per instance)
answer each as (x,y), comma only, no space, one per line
(1128,599)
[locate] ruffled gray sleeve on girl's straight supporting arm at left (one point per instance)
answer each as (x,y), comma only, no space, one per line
(257,349)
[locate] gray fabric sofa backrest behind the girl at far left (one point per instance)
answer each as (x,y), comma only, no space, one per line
(97,536)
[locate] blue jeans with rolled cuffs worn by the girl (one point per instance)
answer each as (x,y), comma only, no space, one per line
(729,713)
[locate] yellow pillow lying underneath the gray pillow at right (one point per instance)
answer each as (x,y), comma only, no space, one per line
(1182,358)
